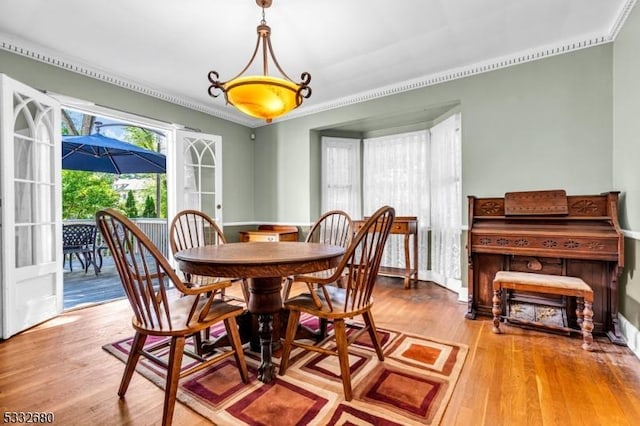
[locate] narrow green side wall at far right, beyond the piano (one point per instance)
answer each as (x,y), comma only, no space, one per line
(626,153)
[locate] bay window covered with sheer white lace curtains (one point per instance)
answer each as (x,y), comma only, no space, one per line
(419,174)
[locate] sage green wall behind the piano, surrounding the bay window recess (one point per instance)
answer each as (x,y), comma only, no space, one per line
(542,124)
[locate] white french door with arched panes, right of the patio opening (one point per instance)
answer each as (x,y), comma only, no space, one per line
(199,173)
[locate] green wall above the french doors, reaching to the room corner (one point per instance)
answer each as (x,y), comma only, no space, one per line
(237,147)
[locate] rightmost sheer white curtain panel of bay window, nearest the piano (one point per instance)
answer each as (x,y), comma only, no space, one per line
(446,215)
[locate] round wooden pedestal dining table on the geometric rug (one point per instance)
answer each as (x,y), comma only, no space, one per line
(266,263)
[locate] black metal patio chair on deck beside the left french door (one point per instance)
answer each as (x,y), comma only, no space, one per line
(79,240)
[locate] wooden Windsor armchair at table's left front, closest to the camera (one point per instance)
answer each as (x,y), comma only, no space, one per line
(146,275)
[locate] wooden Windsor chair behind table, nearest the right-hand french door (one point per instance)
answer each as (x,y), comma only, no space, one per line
(193,228)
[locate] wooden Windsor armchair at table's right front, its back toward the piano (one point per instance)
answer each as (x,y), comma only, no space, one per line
(361,262)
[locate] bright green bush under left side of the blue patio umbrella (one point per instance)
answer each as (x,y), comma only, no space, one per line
(84,193)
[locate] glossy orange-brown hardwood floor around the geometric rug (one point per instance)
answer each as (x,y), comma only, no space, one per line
(521,377)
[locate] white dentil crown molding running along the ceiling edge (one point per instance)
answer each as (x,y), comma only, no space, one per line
(39,54)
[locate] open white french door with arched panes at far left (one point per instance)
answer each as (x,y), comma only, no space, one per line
(30,207)
